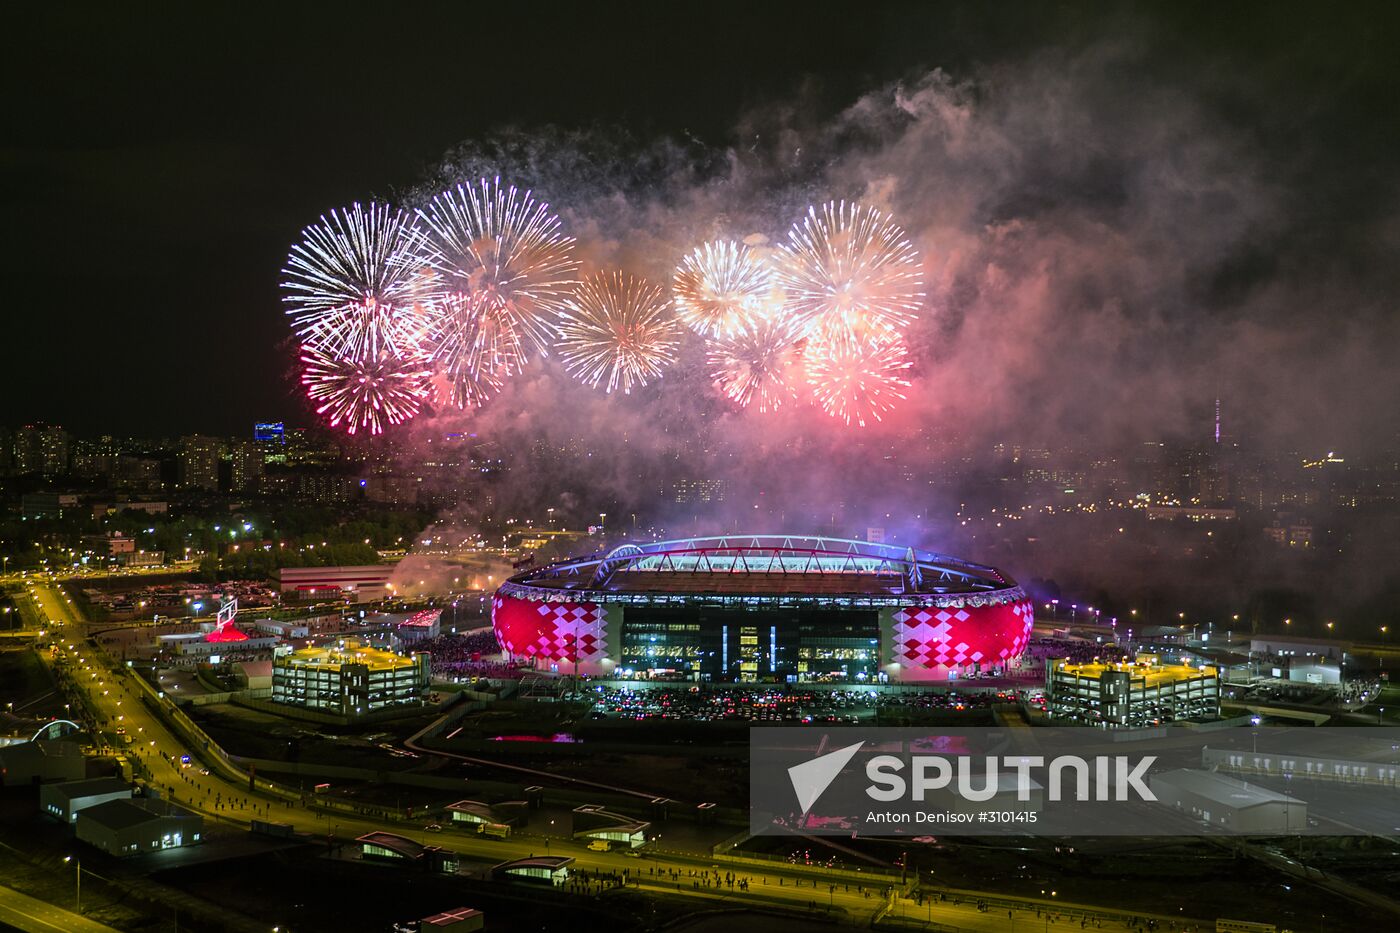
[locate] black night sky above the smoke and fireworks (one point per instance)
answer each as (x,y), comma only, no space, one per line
(159,166)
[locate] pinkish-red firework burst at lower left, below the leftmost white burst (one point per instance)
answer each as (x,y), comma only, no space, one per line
(365,393)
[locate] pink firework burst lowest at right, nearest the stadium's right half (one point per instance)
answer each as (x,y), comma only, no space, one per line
(857,379)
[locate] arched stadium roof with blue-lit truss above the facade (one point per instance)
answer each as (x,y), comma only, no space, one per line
(768,565)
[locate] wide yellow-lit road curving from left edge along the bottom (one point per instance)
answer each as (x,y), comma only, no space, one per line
(225,795)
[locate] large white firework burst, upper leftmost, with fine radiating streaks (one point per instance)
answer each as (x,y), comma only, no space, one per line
(353,284)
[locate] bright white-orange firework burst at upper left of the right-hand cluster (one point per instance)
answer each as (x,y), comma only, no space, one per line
(720,288)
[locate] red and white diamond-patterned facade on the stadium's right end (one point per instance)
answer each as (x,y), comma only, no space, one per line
(933,638)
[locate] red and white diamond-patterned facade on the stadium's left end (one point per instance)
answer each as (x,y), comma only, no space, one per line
(552,633)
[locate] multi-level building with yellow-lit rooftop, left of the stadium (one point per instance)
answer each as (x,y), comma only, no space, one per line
(349,679)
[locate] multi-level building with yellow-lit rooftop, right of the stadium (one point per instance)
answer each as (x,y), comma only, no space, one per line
(1139,694)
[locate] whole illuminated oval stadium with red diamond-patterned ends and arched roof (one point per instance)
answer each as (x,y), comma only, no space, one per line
(780,609)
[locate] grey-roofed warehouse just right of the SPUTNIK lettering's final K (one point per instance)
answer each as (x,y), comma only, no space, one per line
(1228,803)
